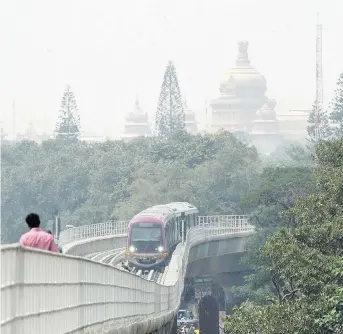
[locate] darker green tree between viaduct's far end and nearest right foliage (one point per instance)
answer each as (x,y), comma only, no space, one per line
(276,192)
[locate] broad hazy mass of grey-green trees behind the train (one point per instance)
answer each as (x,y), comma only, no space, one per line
(91,183)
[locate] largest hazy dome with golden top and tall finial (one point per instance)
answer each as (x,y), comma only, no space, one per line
(242,93)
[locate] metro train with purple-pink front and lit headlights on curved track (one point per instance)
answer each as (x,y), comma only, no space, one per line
(154,233)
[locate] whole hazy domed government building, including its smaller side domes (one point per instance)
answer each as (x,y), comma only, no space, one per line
(242,107)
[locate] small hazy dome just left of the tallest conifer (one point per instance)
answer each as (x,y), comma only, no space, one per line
(136,124)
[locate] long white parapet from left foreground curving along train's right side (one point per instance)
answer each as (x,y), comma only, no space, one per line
(40,290)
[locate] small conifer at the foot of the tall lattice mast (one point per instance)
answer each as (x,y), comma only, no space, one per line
(319,127)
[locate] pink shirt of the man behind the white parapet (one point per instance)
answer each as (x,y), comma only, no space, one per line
(37,238)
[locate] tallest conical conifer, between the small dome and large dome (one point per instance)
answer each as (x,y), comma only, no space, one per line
(170,117)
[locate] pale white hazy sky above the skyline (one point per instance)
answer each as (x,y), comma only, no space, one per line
(112,51)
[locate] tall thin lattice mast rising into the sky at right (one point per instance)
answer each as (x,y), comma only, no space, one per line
(319,72)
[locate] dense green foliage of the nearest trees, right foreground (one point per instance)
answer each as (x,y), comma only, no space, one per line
(304,260)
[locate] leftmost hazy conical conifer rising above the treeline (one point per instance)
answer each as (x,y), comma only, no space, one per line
(68,124)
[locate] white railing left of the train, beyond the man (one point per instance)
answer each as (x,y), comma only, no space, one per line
(92,231)
